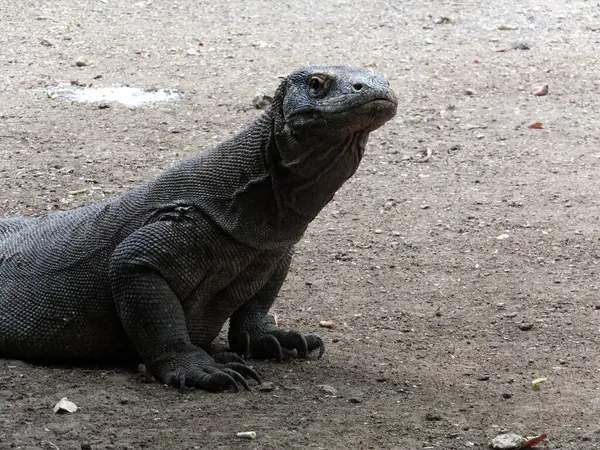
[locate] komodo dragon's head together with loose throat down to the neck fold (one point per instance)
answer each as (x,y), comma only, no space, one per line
(322,117)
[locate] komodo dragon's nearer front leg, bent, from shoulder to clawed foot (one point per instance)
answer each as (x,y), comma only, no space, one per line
(146,269)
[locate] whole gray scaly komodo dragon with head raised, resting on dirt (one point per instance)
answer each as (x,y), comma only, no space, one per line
(157,271)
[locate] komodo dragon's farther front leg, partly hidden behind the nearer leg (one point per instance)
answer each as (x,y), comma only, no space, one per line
(254,333)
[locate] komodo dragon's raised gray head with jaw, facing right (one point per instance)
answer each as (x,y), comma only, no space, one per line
(322,112)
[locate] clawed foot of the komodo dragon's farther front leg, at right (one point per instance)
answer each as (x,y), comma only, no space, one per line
(268,341)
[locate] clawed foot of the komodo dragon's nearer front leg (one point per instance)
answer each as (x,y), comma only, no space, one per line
(193,367)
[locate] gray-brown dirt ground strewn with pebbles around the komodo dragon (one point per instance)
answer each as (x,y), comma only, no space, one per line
(454,281)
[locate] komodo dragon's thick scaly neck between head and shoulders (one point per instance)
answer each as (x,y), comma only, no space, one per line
(247,188)
